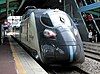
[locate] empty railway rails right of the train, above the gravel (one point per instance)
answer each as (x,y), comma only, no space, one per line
(92,50)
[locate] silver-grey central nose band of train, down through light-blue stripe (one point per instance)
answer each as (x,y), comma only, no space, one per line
(66,43)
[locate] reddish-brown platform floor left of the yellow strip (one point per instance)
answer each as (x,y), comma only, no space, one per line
(7,63)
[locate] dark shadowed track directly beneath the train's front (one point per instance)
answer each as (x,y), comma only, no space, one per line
(66,70)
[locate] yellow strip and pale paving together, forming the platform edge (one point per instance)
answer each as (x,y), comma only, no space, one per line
(25,64)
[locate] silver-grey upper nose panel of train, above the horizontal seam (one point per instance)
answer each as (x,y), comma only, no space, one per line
(65,35)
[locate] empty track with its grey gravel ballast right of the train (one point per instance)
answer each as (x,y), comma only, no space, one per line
(92,58)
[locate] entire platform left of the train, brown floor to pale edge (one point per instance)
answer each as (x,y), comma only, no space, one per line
(15,60)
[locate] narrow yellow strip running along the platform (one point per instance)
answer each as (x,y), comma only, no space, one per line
(19,67)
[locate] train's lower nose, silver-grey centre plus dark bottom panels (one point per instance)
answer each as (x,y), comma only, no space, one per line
(63,49)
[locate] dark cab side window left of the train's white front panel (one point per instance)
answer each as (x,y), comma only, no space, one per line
(45,20)
